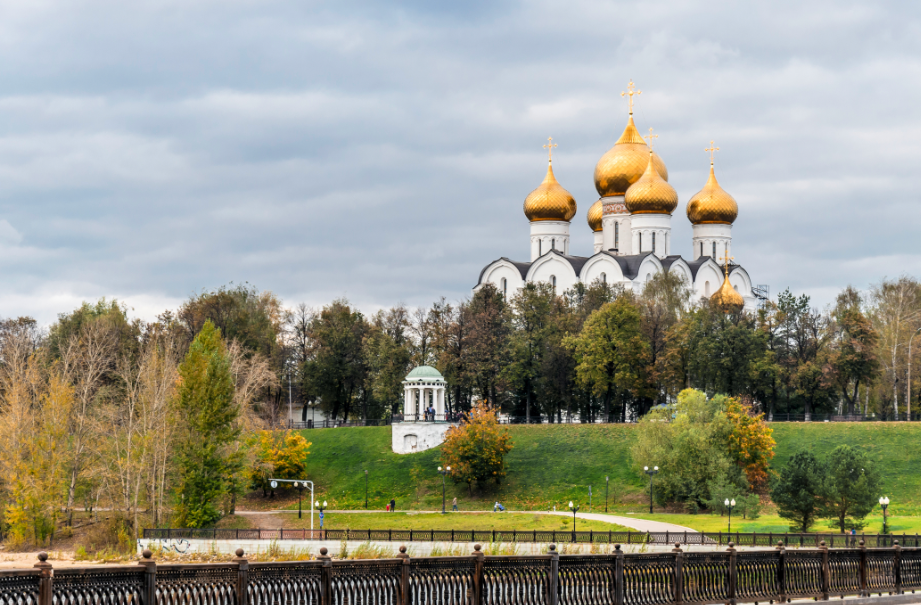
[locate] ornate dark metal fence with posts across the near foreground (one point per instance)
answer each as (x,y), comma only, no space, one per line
(666,578)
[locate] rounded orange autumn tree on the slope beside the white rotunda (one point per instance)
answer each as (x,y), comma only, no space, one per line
(476,448)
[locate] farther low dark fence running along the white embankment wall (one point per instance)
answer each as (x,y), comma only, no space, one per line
(539,536)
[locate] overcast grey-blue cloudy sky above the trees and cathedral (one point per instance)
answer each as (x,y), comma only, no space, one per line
(381,151)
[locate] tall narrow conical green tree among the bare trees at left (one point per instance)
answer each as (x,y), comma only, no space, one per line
(206,461)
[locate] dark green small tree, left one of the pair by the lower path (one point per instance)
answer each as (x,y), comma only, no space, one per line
(797,490)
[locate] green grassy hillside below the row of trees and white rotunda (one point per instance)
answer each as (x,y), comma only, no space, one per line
(552,464)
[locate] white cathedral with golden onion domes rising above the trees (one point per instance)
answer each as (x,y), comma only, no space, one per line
(631,226)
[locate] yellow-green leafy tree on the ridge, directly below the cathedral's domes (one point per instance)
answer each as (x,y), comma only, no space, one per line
(611,351)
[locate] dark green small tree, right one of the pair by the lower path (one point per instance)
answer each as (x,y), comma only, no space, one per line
(850,487)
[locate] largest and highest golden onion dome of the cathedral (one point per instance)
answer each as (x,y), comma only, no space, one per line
(624,163)
